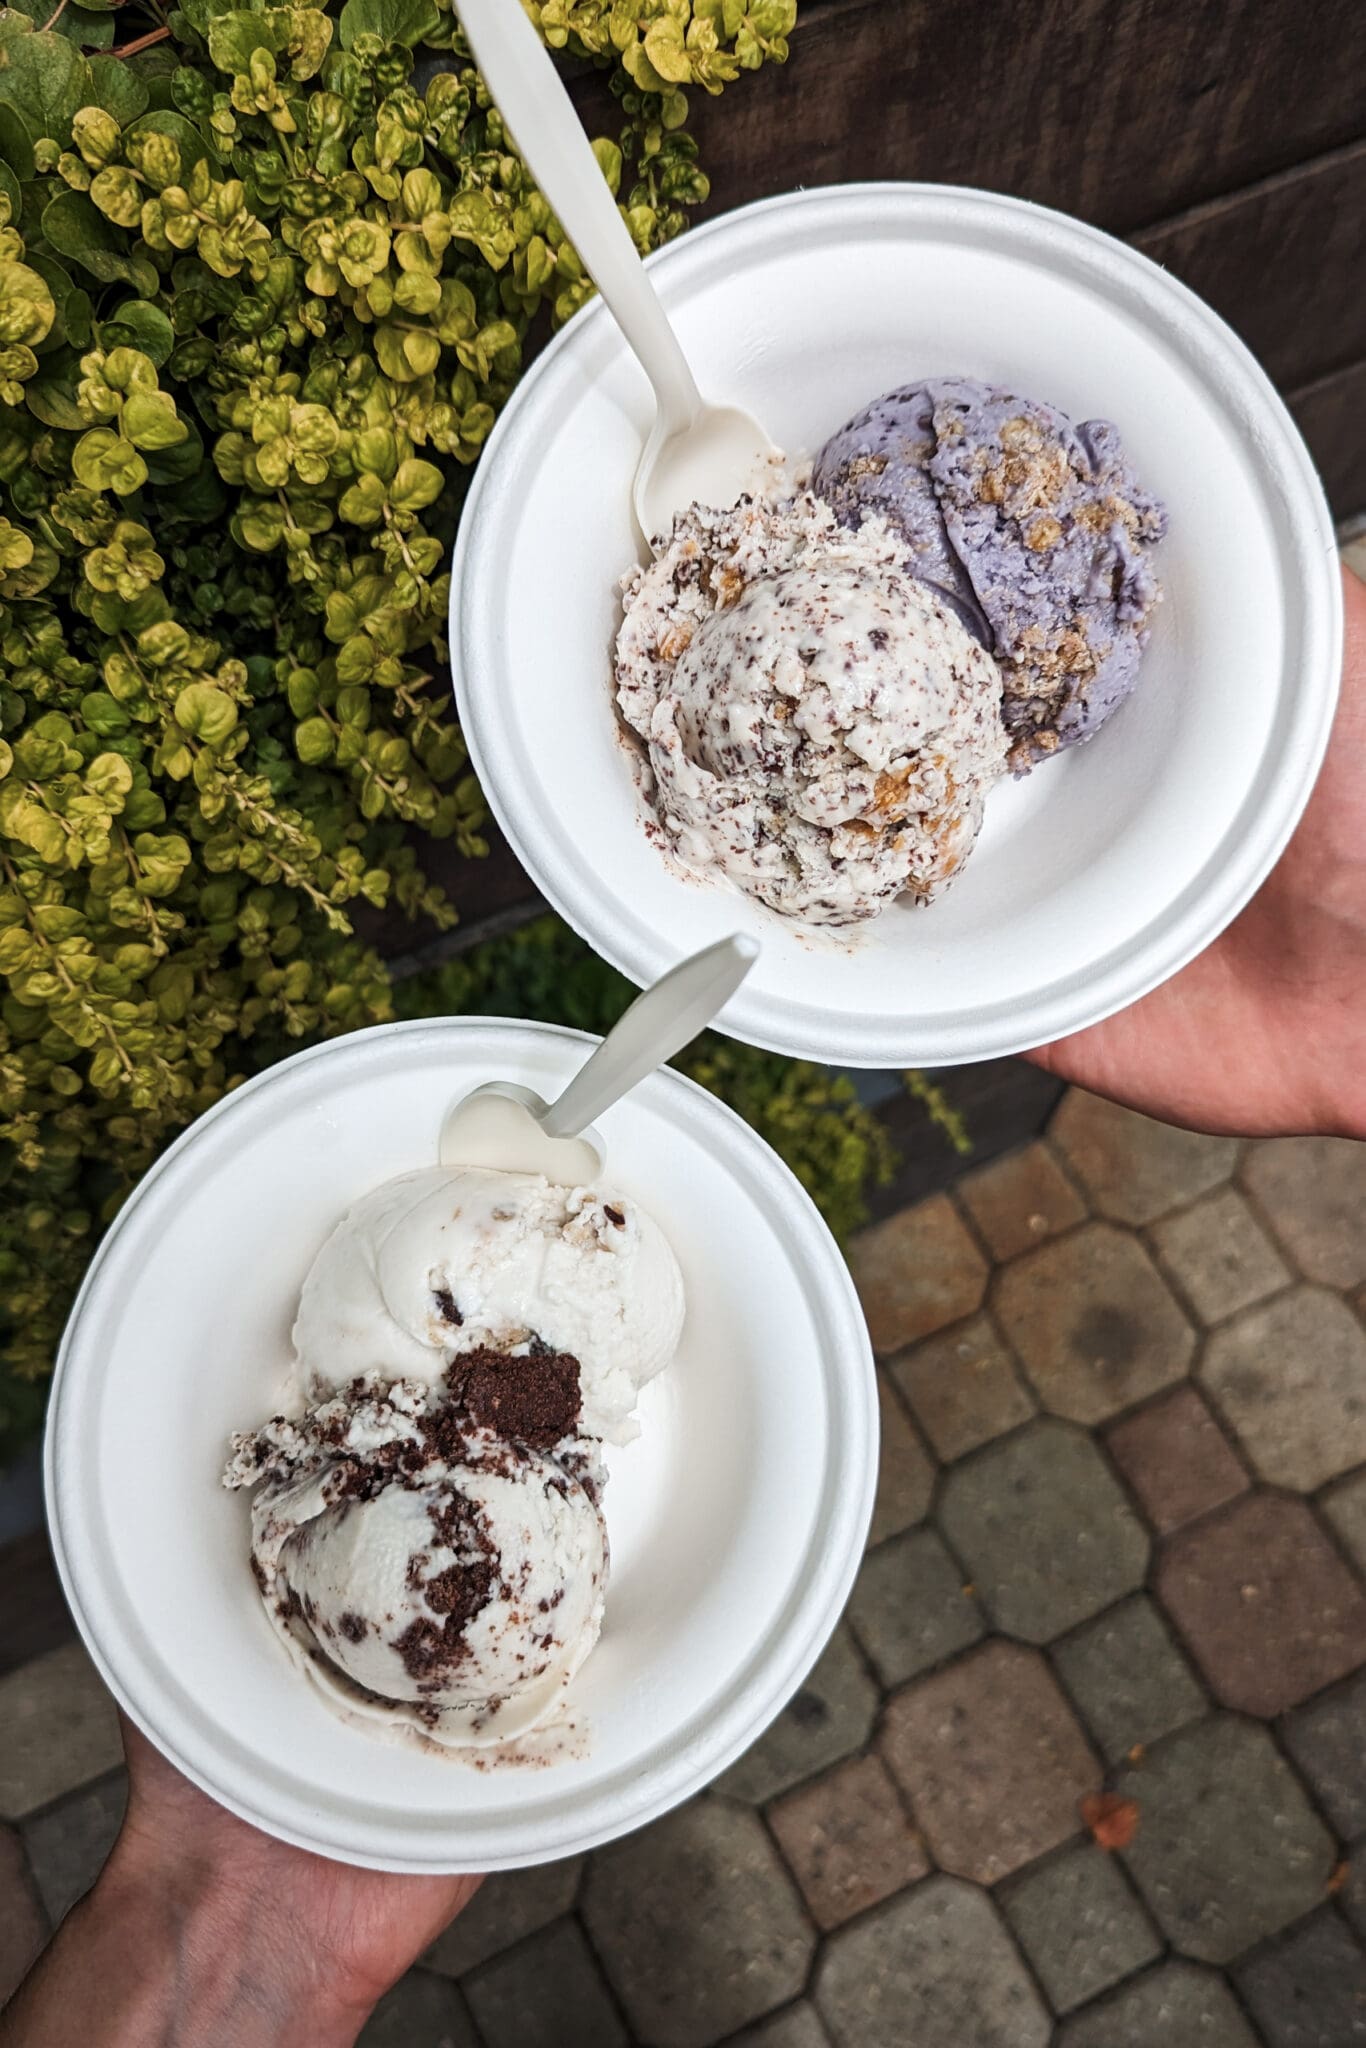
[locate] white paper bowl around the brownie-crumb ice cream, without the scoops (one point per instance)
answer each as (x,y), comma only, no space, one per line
(736,1521)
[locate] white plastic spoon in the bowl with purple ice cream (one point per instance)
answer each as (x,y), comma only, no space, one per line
(697,454)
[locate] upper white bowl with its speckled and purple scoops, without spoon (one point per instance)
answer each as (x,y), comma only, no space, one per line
(988,710)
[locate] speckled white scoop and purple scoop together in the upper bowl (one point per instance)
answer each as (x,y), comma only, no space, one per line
(828,679)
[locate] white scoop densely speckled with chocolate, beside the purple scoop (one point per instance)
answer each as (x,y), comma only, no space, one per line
(818,726)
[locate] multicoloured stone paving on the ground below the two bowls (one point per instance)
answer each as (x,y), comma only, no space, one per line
(1119,1549)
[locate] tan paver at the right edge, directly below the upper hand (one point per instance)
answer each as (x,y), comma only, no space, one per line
(1314,1193)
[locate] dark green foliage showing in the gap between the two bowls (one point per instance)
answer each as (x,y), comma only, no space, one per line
(810,1115)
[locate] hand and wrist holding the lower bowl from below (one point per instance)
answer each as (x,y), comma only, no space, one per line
(206,1930)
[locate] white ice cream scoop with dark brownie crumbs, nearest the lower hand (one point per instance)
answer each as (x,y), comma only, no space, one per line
(429,1576)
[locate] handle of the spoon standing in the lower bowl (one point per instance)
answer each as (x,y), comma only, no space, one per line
(656,1027)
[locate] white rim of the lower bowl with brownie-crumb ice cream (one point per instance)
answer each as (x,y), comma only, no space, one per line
(689,1758)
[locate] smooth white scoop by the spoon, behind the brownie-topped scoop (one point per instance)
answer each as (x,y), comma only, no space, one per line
(447,1261)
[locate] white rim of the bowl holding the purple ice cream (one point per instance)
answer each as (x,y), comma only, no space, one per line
(1271,808)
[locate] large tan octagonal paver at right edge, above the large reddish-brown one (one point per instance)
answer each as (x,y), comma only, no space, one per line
(1291,1381)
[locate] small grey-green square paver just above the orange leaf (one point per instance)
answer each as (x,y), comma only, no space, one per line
(1129,1678)
